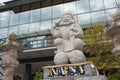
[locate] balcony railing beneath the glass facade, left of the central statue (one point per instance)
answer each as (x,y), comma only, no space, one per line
(38,43)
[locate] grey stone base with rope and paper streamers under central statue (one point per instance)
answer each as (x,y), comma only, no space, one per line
(79,71)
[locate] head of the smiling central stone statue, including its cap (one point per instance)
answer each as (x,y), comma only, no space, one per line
(67,19)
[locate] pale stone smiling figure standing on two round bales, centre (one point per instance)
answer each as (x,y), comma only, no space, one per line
(67,35)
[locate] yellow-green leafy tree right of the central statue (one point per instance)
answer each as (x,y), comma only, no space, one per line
(98,47)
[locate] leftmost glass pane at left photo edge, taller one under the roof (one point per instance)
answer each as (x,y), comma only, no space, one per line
(4,19)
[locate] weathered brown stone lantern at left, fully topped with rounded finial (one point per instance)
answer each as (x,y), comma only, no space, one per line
(9,60)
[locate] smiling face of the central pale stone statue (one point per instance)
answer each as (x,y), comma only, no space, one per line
(67,20)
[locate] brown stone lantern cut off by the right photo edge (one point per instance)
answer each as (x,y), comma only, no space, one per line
(114,32)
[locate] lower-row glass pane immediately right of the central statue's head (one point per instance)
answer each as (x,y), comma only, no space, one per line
(84,20)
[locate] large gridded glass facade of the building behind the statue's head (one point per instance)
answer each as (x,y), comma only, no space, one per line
(85,12)
